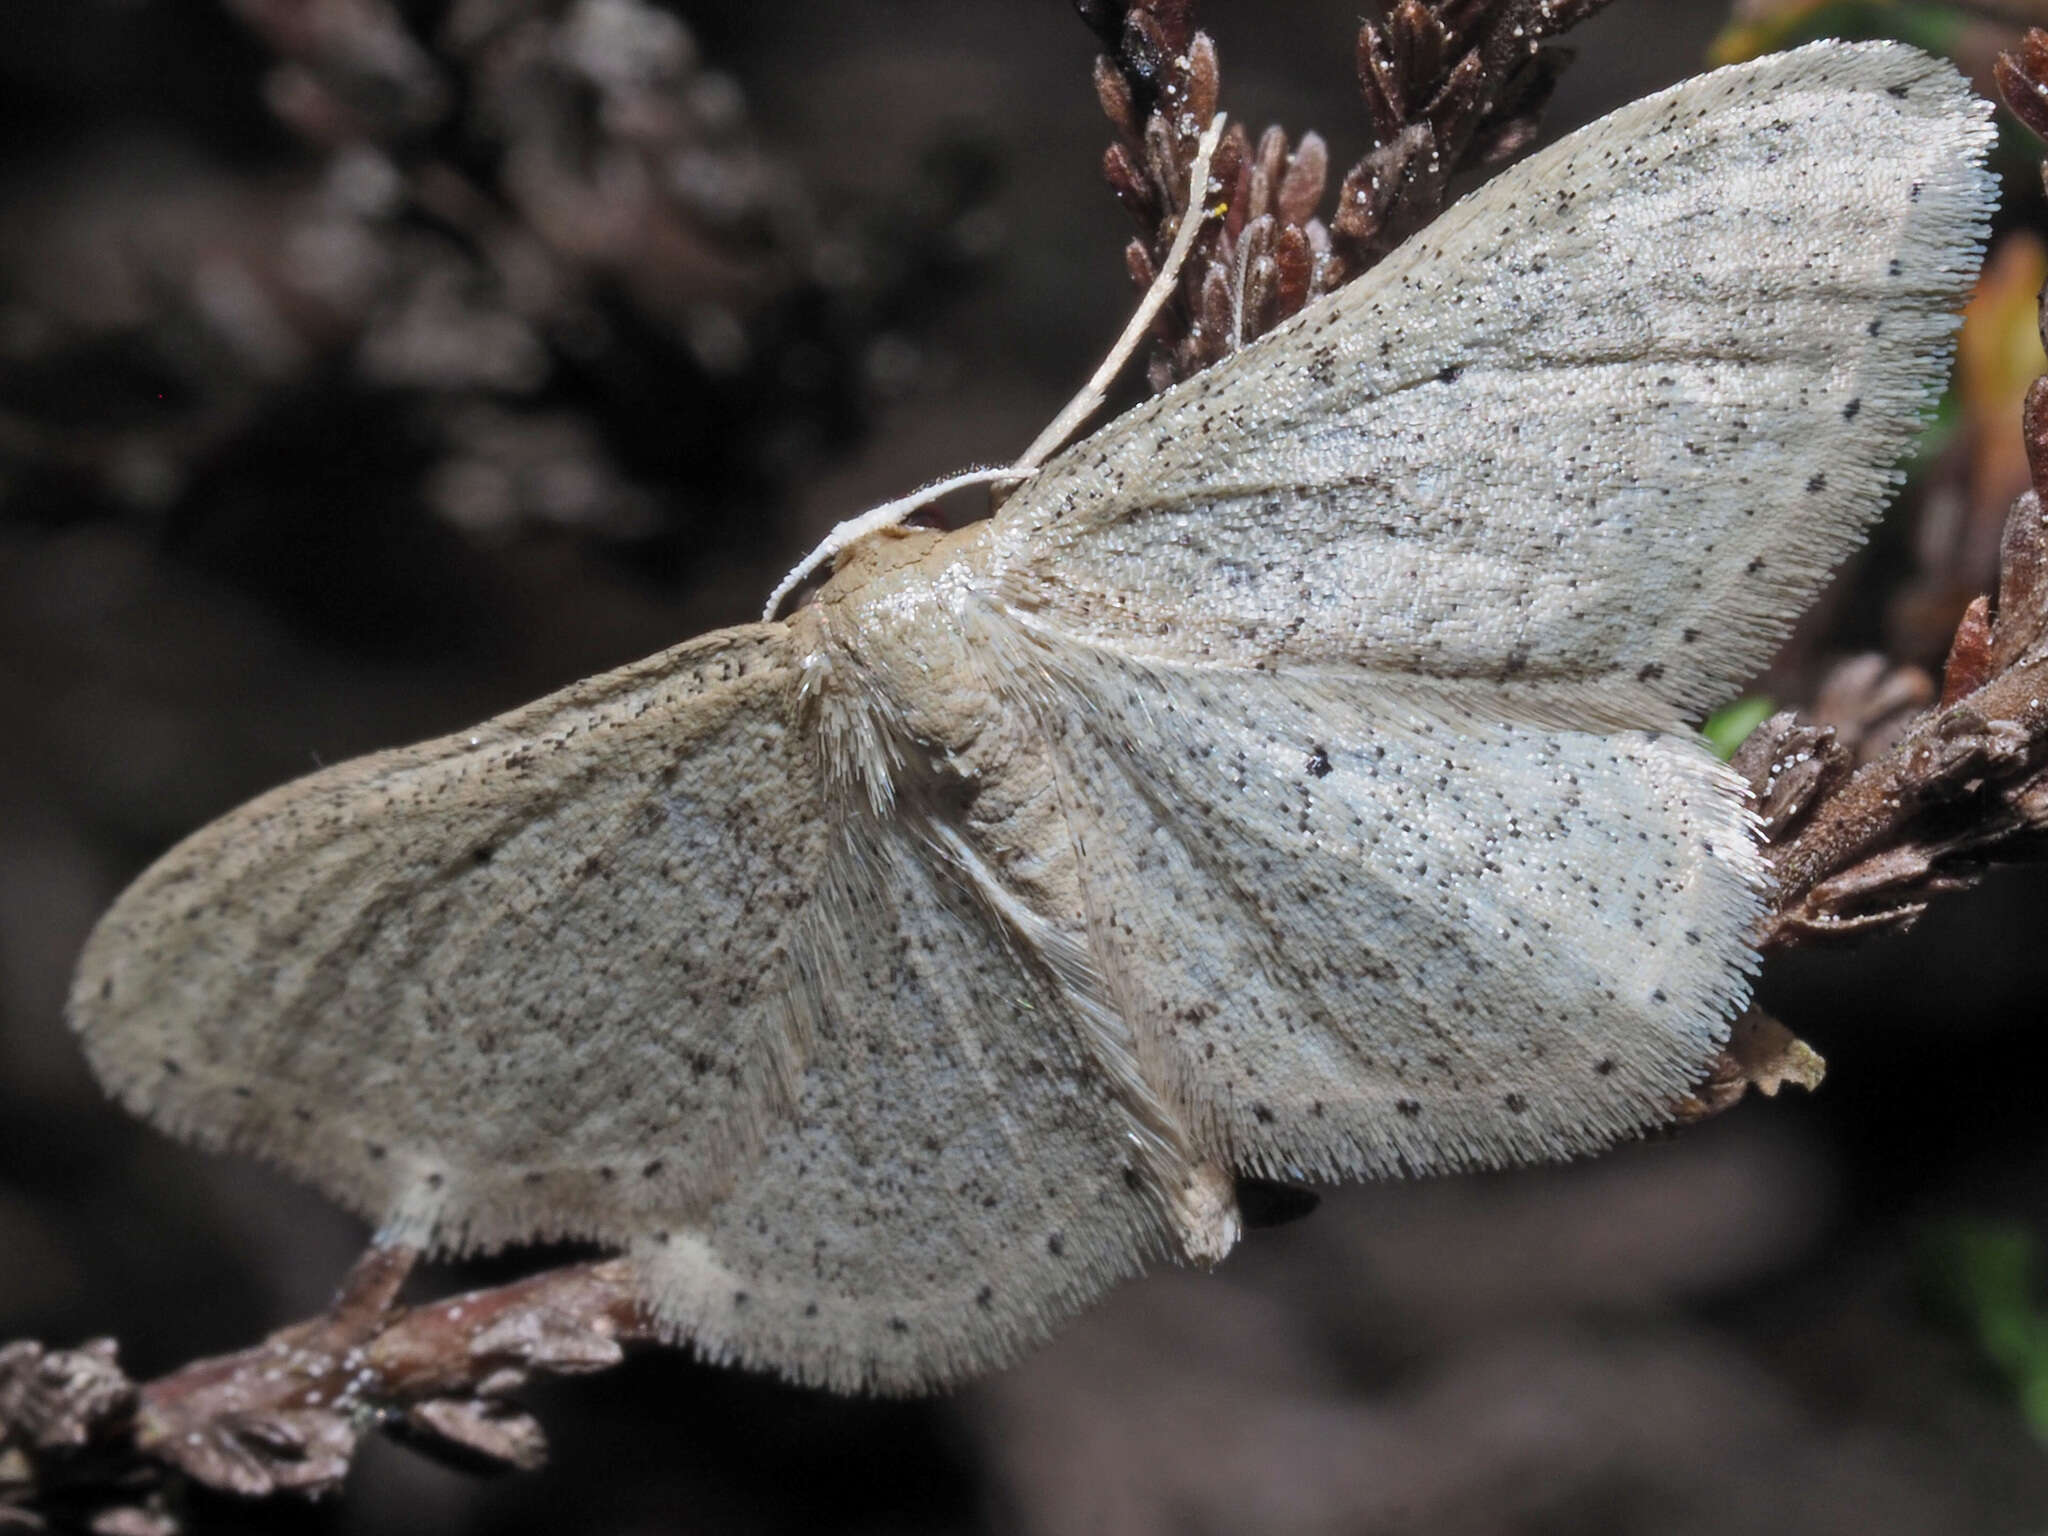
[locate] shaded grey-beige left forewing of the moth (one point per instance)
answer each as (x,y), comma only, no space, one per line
(525,980)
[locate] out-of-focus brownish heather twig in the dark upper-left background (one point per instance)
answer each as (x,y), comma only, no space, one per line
(542,237)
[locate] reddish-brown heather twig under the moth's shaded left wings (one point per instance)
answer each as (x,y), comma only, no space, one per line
(288,1414)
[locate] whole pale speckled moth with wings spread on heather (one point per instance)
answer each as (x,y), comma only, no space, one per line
(1291,779)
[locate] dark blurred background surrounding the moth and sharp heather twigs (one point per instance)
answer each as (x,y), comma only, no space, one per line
(372,366)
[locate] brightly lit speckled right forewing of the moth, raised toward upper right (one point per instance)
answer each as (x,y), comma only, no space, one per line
(1580,450)
